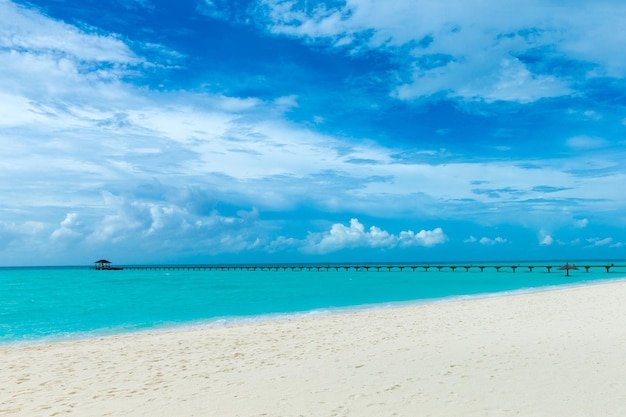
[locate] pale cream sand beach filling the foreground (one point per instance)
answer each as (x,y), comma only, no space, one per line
(556,353)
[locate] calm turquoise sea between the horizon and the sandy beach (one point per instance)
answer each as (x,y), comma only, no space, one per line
(50,304)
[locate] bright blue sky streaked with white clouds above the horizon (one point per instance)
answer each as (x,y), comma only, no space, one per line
(271,131)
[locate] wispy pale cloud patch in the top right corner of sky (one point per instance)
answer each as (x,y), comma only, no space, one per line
(465,49)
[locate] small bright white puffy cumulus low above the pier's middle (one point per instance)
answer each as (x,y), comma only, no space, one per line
(354,236)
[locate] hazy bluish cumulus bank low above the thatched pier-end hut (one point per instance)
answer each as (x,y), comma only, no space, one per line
(161,227)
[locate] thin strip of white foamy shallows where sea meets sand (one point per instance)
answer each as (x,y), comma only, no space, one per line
(227,321)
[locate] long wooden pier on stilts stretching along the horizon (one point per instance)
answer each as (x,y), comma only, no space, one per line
(376,268)
